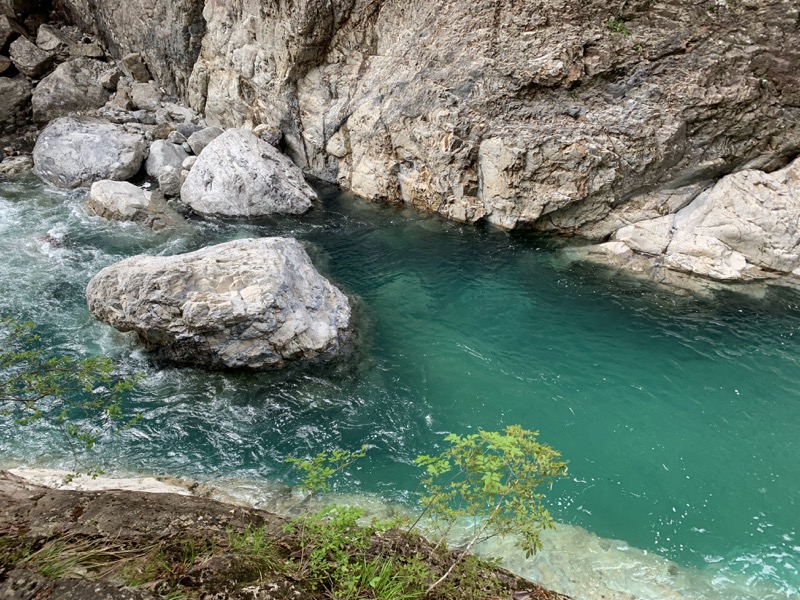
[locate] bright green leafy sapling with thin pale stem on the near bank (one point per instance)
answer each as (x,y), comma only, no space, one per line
(494,478)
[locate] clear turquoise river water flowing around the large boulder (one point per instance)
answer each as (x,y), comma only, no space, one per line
(679,416)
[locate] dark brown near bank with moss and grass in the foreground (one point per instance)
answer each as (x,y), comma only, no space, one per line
(138,546)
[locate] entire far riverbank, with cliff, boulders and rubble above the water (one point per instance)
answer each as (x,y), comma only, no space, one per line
(611,121)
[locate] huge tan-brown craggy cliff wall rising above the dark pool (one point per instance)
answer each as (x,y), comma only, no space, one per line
(563,116)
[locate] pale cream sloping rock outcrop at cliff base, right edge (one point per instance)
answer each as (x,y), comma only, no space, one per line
(746,227)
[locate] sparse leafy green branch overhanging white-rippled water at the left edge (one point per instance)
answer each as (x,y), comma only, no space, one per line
(35,386)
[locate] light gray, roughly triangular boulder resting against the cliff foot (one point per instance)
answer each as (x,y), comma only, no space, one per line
(238,175)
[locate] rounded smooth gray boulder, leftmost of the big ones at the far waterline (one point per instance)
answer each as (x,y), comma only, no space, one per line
(77,151)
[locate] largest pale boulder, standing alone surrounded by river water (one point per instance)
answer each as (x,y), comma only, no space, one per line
(253,304)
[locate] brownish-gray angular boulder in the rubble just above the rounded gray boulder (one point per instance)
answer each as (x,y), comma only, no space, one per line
(73,87)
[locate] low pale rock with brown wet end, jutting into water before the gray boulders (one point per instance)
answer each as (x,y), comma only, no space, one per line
(123,201)
